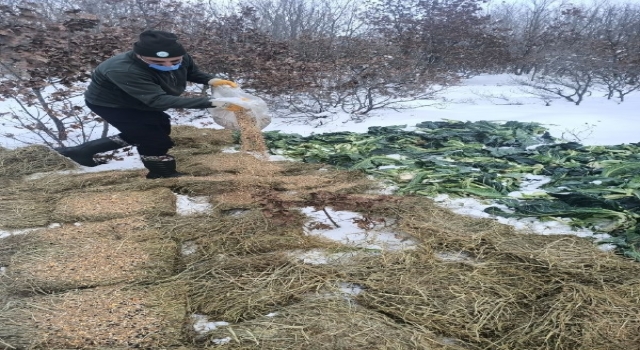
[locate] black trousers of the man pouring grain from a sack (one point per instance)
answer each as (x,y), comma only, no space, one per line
(147,130)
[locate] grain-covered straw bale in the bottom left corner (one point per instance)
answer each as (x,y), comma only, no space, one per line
(104,317)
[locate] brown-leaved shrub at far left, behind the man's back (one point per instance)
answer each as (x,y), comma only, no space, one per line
(44,56)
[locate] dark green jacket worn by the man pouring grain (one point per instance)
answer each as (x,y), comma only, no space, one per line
(125,81)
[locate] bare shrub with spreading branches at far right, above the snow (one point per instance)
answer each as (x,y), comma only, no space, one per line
(567,50)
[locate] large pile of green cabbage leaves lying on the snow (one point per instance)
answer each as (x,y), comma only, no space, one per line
(594,187)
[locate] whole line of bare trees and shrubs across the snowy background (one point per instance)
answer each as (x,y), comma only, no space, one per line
(321,55)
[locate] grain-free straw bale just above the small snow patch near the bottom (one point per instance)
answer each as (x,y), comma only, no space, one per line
(234,288)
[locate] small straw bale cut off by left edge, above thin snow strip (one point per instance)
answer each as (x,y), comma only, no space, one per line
(20,213)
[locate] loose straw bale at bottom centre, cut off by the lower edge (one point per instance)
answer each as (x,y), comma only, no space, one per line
(326,322)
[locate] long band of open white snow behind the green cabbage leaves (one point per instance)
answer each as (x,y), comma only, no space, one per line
(597,121)
